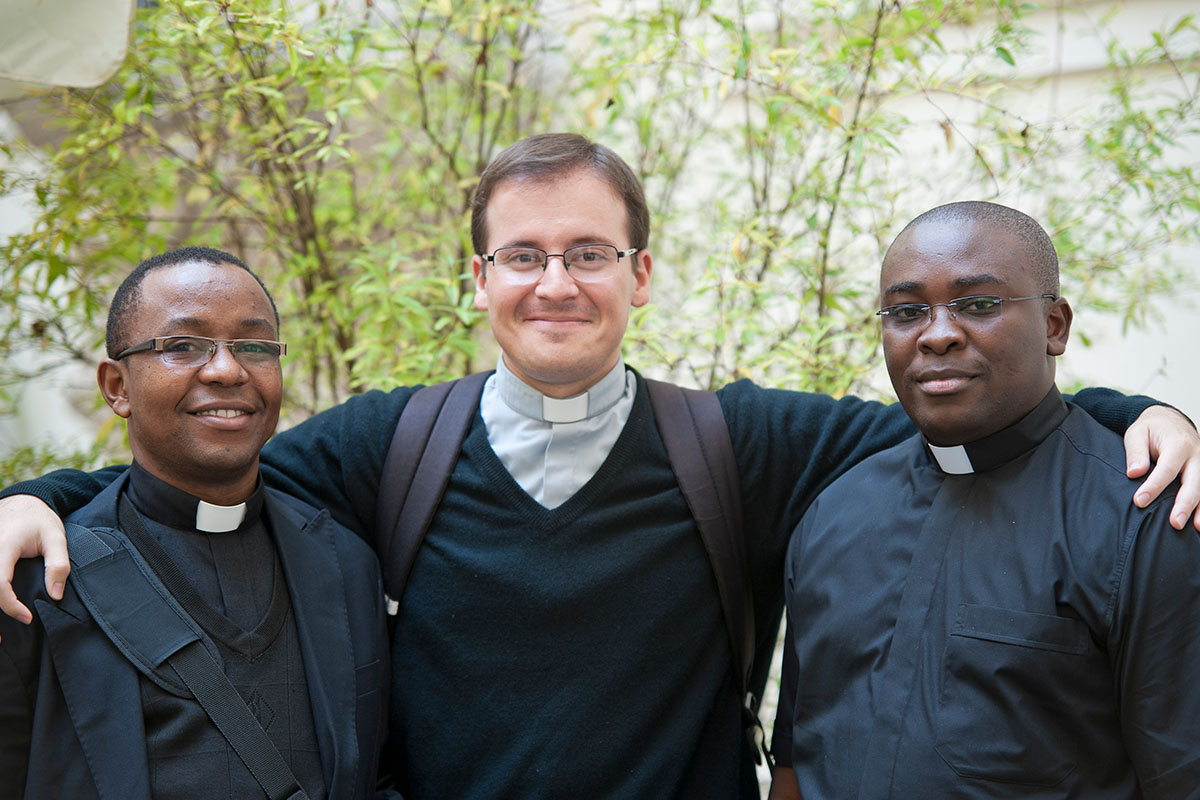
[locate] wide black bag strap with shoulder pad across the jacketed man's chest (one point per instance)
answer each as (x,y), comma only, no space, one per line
(148,627)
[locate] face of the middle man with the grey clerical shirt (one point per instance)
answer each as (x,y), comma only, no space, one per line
(557,335)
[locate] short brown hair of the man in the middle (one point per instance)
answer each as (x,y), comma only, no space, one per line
(554,155)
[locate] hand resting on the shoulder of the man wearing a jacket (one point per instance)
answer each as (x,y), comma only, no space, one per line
(28,530)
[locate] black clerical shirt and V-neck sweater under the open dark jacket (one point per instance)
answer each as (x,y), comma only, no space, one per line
(236,590)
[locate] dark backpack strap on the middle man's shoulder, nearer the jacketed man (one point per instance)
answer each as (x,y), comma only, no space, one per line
(422,458)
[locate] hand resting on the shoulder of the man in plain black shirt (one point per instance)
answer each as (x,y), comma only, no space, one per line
(1168,440)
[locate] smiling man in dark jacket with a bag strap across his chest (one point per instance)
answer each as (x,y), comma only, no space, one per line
(190,557)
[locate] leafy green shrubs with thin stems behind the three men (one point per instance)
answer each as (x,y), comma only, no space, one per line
(783,146)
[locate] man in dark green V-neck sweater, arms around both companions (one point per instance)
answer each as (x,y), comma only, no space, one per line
(561,634)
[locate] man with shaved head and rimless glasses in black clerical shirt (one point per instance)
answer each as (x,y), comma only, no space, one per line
(975,613)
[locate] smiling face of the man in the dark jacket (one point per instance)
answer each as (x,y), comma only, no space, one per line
(197,428)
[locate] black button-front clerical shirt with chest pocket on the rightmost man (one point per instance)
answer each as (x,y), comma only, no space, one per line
(1017,631)
